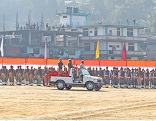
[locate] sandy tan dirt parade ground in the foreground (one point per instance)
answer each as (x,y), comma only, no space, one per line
(47,103)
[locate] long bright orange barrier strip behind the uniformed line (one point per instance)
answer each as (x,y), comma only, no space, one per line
(96,63)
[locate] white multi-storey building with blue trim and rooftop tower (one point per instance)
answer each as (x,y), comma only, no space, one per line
(111,36)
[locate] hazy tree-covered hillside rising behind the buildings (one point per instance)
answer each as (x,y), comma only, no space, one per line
(104,10)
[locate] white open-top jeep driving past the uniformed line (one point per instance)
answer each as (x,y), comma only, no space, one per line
(84,80)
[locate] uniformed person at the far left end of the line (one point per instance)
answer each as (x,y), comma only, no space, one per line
(4,75)
